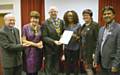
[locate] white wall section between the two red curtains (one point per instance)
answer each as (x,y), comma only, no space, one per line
(77,5)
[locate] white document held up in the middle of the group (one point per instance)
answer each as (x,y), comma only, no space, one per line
(66,37)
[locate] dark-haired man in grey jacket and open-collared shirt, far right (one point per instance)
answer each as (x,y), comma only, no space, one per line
(108,46)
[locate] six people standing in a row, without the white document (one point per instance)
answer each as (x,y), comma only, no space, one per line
(97,48)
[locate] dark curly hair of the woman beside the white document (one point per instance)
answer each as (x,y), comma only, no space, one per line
(75,17)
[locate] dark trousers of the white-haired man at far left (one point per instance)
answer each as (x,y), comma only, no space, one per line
(13,71)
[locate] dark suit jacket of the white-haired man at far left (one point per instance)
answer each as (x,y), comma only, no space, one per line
(11,47)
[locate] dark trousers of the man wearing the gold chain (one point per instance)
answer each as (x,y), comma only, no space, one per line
(51,64)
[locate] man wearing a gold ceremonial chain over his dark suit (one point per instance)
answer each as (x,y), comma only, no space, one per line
(53,28)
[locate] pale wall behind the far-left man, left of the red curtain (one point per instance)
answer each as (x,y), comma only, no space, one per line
(16,10)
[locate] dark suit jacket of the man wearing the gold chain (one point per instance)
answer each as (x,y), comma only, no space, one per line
(50,34)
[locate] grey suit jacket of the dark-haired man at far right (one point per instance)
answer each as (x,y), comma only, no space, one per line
(110,54)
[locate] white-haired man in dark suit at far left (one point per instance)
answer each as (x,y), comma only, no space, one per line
(11,47)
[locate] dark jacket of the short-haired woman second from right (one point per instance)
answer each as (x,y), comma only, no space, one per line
(90,34)
